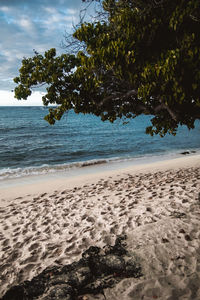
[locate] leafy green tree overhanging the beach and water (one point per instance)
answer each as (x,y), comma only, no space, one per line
(143,57)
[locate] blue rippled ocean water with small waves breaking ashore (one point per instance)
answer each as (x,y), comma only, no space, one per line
(29,145)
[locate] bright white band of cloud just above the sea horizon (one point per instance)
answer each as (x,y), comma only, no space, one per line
(7,99)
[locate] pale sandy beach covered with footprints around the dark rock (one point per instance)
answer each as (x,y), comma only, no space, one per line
(51,221)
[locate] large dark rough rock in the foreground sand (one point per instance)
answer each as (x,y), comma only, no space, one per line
(96,270)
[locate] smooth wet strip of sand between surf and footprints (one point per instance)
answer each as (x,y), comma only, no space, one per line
(35,184)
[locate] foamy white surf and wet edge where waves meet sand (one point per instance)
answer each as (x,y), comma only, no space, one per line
(8,174)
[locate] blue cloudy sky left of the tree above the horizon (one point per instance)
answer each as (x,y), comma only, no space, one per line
(31,24)
